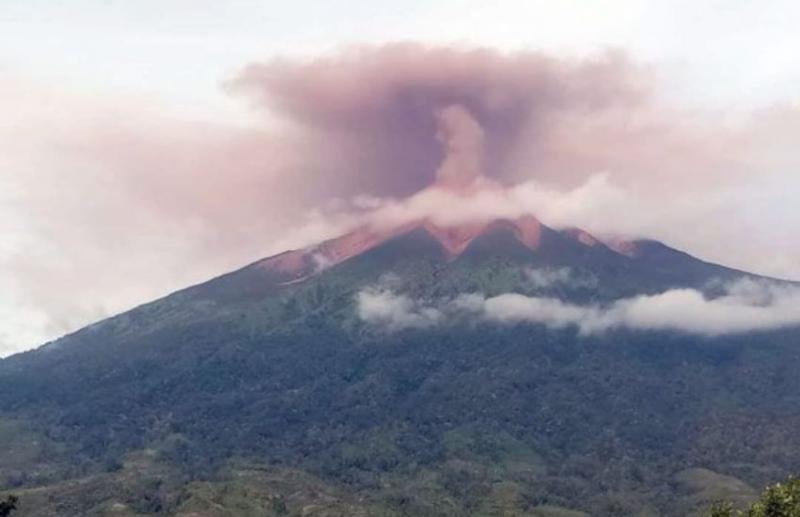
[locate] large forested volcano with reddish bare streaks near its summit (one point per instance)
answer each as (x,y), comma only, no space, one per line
(348,378)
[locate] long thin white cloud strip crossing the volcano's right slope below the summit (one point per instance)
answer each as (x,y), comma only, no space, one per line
(741,307)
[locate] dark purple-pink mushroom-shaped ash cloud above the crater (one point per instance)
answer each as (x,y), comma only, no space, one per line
(375,111)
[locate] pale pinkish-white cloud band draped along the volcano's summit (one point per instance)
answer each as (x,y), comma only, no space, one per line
(597,205)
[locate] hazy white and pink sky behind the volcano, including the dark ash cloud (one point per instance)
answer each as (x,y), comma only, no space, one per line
(146,146)
